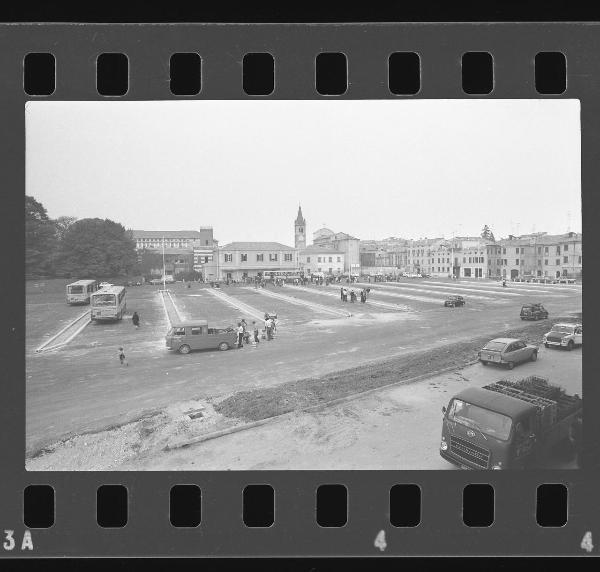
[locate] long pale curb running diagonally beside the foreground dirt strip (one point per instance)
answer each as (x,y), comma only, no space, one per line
(310,408)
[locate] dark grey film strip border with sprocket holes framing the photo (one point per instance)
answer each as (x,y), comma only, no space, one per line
(369,499)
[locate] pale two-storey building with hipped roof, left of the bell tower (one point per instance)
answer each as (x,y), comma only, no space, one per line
(241,260)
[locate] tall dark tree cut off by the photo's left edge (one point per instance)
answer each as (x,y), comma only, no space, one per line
(39,239)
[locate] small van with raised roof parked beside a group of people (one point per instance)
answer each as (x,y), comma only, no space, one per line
(197,335)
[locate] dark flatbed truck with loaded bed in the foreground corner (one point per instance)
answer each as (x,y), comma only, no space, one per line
(509,424)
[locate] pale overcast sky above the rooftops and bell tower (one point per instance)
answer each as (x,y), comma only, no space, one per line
(373,169)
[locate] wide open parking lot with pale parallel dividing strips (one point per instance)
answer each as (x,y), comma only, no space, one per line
(82,387)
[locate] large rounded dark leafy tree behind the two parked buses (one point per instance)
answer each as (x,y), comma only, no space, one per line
(96,248)
